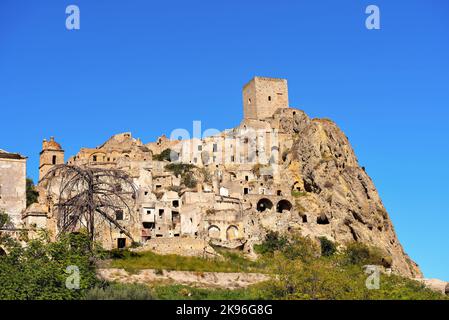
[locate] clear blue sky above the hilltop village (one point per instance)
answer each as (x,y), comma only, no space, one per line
(151,66)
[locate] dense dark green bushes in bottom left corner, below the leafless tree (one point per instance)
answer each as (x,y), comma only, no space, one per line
(39,270)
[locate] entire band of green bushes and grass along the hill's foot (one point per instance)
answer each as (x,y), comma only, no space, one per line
(299,268)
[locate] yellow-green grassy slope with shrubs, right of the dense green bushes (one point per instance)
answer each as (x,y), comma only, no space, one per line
(300,269)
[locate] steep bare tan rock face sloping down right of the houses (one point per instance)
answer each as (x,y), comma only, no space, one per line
(336,193)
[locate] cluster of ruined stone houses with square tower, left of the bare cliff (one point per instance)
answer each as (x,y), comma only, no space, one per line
(235,175)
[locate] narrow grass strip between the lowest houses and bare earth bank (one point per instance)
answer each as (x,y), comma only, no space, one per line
(232,262)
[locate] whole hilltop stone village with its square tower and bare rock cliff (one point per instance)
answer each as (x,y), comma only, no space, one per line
(277,170)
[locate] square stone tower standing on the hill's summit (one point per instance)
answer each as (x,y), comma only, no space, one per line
(263,96)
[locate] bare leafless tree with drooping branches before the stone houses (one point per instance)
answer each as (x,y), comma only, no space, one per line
(89,196)
